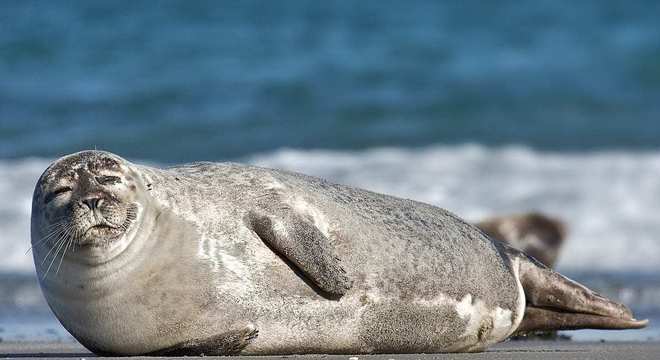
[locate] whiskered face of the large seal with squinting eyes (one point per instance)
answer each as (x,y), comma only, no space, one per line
(87,199)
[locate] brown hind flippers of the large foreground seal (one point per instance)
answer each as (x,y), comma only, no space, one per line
(555,302)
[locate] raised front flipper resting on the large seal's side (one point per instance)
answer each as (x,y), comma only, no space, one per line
(302,244)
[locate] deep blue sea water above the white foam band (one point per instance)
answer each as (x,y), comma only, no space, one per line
(176,80)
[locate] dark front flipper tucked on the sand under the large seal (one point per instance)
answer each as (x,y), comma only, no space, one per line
(229,343)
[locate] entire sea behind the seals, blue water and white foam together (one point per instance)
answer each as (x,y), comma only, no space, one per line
(480,108)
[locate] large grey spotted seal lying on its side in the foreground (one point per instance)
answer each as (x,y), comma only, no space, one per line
(224,259)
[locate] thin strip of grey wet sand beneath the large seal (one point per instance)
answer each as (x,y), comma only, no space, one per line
(509,350)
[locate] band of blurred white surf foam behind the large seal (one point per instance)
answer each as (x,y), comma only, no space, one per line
(609,199)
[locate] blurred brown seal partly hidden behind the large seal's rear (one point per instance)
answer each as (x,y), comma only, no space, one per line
(535,234)
